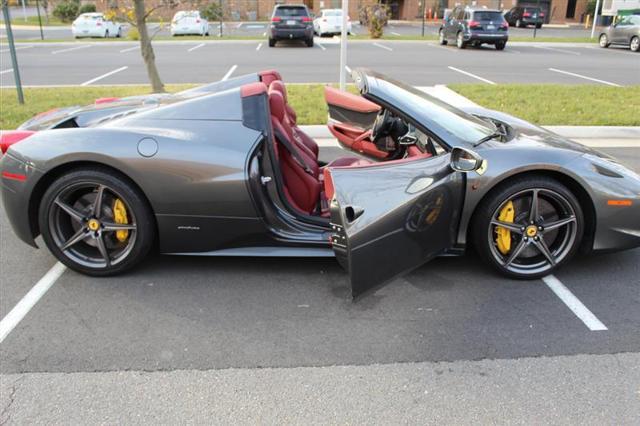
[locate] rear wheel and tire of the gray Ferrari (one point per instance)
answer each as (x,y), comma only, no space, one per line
(91,237)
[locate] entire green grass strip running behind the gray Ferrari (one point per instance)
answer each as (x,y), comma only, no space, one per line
(543,104)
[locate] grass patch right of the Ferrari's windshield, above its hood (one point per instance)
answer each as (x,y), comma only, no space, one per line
(554,104)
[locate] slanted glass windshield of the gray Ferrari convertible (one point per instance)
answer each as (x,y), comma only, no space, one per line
(453,121)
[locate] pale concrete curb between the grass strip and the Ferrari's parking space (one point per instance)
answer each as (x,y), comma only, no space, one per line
(578,132)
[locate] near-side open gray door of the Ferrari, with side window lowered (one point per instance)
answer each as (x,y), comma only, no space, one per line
(390,218)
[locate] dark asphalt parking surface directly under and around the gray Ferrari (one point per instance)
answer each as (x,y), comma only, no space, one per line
(210,313)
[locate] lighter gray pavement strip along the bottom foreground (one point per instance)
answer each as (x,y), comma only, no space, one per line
(580,389)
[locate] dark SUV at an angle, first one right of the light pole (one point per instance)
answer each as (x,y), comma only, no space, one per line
(471,25)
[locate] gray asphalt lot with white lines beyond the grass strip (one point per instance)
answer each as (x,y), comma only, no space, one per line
(418,63)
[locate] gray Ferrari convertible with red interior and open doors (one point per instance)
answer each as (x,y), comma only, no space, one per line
(224,170)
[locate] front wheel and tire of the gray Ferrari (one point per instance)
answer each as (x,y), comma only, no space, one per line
(535,249)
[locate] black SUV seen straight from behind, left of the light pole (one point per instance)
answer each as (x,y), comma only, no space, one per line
(291,22)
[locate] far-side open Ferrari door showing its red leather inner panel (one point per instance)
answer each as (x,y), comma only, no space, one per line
(351,118)
